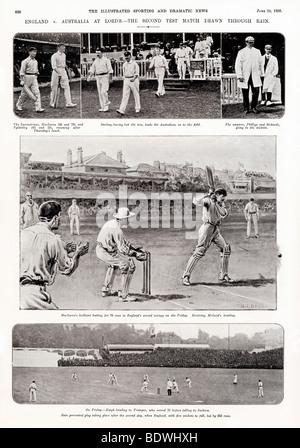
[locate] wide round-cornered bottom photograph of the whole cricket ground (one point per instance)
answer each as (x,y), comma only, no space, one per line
(146,364)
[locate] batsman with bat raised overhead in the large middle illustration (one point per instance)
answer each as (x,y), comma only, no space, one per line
(214,211)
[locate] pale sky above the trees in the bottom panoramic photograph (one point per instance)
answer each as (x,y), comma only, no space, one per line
(186,331)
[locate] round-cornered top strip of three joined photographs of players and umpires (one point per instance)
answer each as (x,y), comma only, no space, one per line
(149,75)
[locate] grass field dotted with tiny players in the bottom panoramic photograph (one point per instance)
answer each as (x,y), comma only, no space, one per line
(209,386)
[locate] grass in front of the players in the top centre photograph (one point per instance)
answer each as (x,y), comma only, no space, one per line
(203,101)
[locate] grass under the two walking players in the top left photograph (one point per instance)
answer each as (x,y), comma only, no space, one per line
(61,112)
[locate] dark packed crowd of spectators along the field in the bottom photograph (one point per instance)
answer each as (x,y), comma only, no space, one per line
(203,358)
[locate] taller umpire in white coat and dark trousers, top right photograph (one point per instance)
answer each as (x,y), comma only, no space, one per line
(248,68)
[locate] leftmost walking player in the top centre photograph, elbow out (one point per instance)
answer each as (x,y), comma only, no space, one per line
(101,68)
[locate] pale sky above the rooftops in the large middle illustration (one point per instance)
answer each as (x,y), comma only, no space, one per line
(223,152)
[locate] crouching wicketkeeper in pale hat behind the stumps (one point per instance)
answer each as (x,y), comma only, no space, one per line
(114,250)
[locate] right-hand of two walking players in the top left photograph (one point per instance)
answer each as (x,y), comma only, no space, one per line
(60,77)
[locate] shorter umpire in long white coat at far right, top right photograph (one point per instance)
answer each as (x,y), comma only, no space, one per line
(270,72)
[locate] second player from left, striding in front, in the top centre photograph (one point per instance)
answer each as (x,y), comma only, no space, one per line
(131,83)
